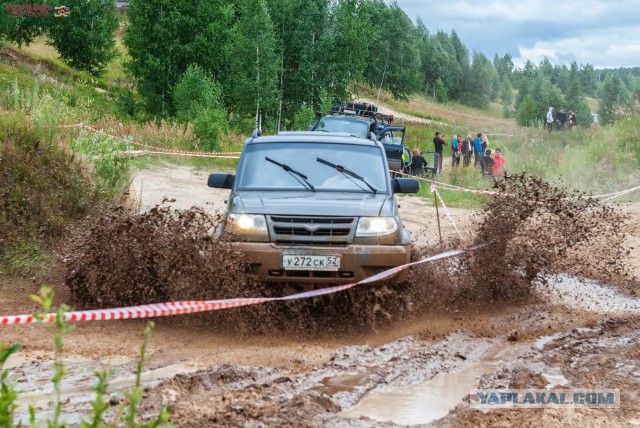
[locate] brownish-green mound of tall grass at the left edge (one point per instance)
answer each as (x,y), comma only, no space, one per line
(41,187)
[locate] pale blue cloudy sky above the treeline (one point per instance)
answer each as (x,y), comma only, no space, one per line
(603,33)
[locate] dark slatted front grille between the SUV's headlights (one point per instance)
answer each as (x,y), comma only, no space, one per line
(316,231)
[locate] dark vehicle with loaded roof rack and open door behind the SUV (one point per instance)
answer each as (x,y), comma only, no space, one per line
(364,121)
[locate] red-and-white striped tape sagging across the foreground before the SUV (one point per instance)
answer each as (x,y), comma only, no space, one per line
(194,306)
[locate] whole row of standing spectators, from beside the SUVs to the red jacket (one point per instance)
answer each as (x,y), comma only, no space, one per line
(490,162)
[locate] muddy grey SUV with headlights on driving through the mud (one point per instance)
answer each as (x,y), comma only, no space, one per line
(310,207)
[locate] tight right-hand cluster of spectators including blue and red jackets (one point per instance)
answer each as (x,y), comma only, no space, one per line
(490,163)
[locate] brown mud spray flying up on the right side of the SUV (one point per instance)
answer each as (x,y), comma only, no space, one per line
(537,228)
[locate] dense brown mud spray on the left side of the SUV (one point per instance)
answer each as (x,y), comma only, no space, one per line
(122,259)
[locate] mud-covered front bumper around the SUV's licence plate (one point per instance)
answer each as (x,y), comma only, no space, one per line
(357,262)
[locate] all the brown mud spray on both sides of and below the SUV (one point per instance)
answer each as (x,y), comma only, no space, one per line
(125,258)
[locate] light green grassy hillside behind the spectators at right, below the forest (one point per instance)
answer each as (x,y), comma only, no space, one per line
(596,160)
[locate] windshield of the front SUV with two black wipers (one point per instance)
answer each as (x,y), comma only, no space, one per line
(258,173)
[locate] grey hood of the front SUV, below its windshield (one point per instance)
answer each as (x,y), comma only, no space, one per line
(313,203)
